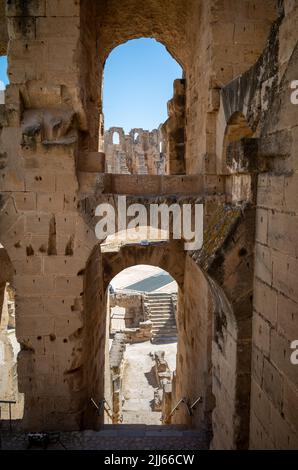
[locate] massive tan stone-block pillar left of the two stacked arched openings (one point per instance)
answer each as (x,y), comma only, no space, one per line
(40,223)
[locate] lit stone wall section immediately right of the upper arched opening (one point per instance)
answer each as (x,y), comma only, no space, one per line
(225,39)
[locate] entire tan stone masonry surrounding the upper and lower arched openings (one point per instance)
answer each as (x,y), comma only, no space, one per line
(237,303)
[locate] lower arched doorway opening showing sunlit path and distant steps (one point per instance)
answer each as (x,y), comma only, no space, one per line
(142,331)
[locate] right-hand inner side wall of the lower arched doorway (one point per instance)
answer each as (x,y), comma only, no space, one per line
(194,341)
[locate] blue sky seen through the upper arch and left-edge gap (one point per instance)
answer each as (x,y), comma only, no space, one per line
(138,82)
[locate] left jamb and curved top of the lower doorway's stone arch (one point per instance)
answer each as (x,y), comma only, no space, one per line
(101,269)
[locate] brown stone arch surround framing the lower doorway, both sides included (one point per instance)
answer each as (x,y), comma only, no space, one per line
(193,377)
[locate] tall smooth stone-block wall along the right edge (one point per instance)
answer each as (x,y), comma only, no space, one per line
(274,419)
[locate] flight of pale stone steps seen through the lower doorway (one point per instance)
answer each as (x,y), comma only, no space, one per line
(161,314)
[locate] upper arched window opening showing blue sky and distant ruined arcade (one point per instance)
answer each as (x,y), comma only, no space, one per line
(136,97)
